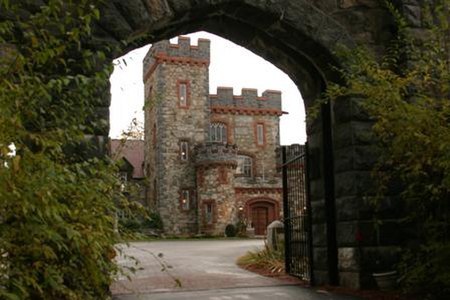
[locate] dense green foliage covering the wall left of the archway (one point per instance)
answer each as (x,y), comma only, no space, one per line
(57,211)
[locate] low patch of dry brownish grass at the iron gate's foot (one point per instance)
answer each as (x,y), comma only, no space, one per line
(265,258)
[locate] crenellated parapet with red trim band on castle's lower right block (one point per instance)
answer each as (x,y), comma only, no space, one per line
(248,102)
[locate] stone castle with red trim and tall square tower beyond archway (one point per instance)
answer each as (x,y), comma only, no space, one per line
(210,159)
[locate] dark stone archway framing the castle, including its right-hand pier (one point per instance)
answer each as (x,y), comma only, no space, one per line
(299,37)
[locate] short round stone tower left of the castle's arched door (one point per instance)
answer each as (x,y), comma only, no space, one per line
(215,168)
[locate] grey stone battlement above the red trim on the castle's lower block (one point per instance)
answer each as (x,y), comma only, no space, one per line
(269,100)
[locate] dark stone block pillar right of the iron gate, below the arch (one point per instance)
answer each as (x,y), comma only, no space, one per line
(355,154)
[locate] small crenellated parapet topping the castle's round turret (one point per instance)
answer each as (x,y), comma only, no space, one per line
(212,153)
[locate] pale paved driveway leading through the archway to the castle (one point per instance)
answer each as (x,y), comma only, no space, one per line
(199,269)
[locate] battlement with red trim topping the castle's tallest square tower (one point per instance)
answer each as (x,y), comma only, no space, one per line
(182,52)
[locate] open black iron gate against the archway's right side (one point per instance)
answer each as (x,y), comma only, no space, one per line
(297,212)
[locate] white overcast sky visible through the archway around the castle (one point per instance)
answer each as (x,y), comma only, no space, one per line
(231,65)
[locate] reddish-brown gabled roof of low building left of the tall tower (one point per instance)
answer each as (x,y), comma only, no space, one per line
(132,151)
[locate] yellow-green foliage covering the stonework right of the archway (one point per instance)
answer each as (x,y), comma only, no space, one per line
(407,94)
